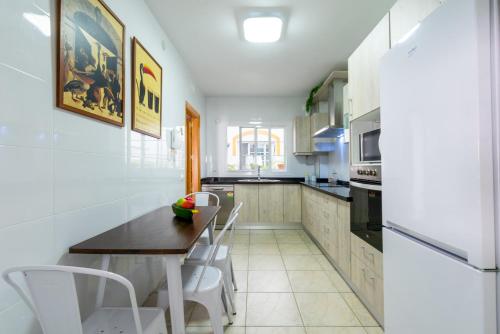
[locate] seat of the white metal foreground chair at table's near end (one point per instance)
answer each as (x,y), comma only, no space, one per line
(116,320)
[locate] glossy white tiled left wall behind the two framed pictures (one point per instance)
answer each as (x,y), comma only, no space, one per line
(65,178)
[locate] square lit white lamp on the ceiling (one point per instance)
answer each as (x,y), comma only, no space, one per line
(262,25)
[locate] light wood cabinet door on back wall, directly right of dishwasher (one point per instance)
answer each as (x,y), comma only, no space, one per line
(249,195)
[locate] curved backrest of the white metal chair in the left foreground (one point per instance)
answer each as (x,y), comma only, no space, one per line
(53,299)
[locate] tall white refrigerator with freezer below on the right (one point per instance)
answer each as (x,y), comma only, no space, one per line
(440,149)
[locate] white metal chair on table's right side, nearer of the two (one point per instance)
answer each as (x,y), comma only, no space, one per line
(204,285)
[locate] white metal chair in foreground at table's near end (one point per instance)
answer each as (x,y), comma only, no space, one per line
(53,299)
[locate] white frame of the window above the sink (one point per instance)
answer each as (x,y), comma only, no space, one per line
(256,142)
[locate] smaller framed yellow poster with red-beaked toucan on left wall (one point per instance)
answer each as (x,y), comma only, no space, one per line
(146,92)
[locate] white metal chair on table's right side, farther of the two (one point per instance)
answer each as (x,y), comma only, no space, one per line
(222,260)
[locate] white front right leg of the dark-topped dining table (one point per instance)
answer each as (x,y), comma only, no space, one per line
(175,295)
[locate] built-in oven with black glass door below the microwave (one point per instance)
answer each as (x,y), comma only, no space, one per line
(366,207)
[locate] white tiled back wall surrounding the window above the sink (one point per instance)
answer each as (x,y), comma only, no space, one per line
(276,111)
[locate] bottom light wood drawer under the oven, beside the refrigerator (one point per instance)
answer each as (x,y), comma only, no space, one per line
(369,285)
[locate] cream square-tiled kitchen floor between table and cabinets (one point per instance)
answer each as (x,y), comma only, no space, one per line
(287,286)
